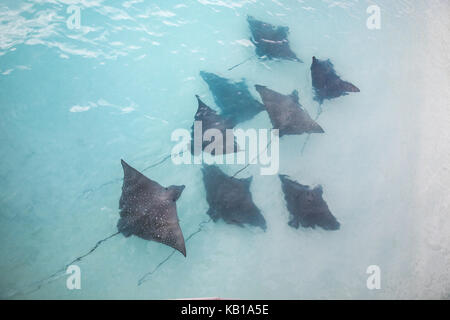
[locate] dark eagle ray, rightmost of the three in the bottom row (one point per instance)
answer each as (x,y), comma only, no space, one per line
(306,206)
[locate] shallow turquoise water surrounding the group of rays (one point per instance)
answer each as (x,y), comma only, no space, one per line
(74,102)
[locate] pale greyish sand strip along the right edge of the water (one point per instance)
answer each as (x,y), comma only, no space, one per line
(432,262)
